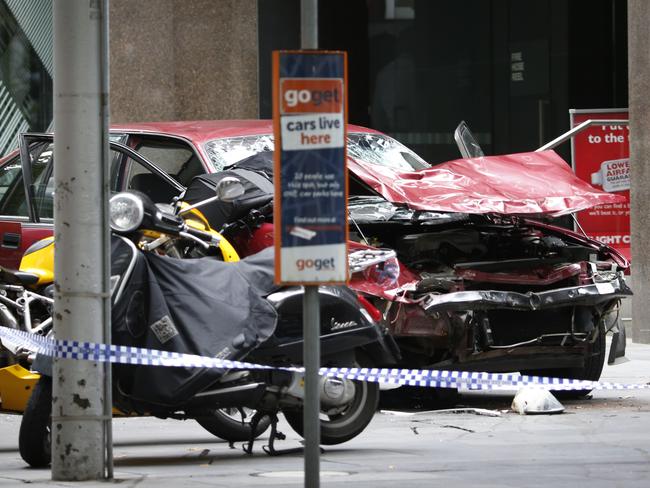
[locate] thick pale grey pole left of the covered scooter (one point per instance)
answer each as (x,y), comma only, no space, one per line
(80,407)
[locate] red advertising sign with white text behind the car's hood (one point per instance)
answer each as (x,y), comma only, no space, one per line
(601,157)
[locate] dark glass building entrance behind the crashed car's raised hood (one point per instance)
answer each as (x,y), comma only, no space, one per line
(510,69)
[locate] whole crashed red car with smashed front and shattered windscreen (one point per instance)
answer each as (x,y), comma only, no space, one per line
(467,272)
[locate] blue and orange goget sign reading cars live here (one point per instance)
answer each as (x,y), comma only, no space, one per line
(310,175)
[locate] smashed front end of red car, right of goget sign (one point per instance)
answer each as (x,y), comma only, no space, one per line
(471,275)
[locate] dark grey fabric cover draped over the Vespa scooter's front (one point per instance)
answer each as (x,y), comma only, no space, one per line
(194,306)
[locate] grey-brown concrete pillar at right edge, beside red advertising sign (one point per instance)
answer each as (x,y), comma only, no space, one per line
(639,87)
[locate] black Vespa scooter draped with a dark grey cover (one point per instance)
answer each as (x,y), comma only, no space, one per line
(170,304)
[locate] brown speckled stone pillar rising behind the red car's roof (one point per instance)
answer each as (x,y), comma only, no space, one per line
(183,59)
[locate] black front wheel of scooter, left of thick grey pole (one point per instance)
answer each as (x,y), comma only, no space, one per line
(34,437)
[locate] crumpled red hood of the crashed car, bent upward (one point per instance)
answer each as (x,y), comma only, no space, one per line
(524,183)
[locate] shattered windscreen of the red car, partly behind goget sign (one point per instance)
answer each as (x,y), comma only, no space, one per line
(370,148)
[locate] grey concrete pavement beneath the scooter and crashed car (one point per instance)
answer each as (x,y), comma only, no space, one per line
(599,442)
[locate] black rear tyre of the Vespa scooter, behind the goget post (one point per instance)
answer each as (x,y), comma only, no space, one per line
(347,423)
